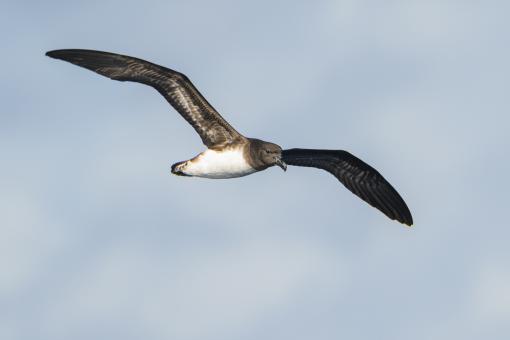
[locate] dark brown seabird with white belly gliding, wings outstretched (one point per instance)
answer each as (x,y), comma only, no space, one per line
(229,154)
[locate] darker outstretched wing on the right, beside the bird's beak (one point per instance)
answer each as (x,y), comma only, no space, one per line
(357,176)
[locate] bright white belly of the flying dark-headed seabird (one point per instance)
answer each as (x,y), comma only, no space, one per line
(218,164)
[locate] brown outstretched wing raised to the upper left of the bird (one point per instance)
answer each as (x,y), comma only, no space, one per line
(174,86)
